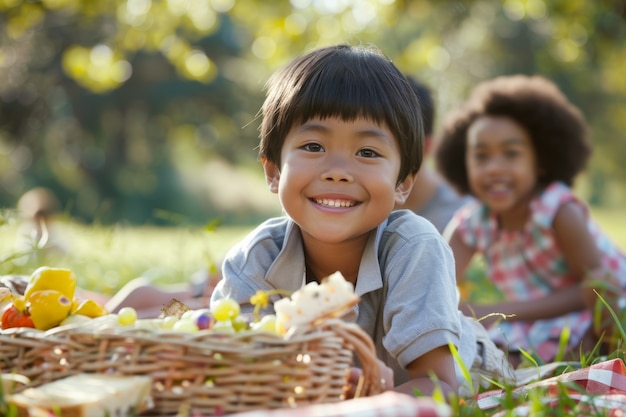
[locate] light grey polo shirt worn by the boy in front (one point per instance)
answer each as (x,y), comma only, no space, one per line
(406,282)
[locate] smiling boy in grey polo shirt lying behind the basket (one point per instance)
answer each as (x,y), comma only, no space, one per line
(341,142)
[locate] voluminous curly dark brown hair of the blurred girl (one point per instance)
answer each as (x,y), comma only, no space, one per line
(556,128)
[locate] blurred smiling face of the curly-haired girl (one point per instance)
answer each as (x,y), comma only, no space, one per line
(502,167)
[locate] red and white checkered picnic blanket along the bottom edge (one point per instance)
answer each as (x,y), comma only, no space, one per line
(599,389)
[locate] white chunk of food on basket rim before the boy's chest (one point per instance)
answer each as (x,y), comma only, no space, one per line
(331,298)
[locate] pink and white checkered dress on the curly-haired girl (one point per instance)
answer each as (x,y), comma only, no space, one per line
(528,264)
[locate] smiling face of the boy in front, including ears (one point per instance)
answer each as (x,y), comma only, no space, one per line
(337,179)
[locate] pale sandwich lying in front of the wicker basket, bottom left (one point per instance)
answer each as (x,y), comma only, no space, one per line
(86,395)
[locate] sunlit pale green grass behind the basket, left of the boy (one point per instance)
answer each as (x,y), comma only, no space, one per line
(105,258)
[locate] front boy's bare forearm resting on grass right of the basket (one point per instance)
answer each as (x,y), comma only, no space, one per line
(431,370)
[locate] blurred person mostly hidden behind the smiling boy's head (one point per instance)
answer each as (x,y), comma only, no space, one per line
(431,196)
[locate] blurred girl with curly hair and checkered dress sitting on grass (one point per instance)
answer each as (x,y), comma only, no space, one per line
(517,145)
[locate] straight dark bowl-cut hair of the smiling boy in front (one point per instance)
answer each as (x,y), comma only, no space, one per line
(346,82)
